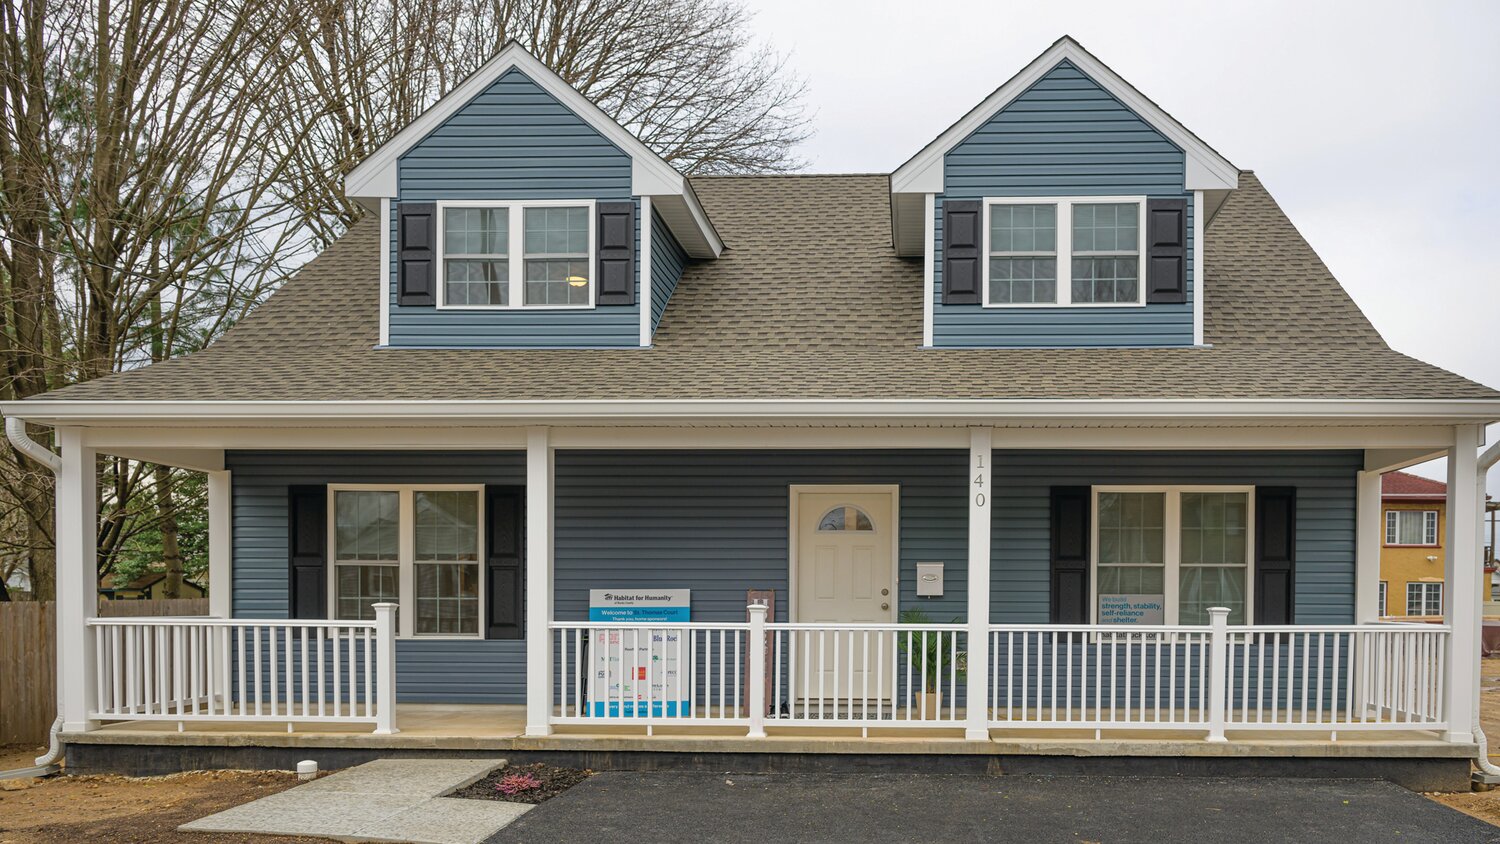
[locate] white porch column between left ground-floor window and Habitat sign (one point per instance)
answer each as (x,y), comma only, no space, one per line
(539,582)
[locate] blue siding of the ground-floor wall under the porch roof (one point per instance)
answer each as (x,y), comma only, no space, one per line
(716,522)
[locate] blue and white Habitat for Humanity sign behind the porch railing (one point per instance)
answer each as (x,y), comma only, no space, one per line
(640,671)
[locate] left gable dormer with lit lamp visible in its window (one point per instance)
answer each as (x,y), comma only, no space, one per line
(520,215)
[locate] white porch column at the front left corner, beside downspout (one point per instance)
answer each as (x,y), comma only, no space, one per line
(77,578)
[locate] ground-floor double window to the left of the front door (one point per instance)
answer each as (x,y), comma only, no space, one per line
(416,545)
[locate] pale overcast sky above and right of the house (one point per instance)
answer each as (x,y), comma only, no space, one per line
(1372,122)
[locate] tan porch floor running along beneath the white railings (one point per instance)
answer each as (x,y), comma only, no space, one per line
(491,728)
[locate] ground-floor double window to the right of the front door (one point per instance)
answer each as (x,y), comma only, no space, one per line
(1178,548)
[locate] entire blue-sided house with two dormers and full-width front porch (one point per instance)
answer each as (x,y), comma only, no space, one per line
(560,450)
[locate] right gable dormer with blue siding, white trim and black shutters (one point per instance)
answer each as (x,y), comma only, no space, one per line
(1064,211)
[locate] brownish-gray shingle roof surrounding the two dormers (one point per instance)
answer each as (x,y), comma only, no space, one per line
(811,302)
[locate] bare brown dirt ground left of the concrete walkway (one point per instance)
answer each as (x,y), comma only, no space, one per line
(85,810)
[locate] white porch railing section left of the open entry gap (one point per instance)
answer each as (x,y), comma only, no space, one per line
(203,669)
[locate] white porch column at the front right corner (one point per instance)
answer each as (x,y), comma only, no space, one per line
(1462,582)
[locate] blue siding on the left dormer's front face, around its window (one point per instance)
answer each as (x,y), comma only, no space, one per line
(514,142)
